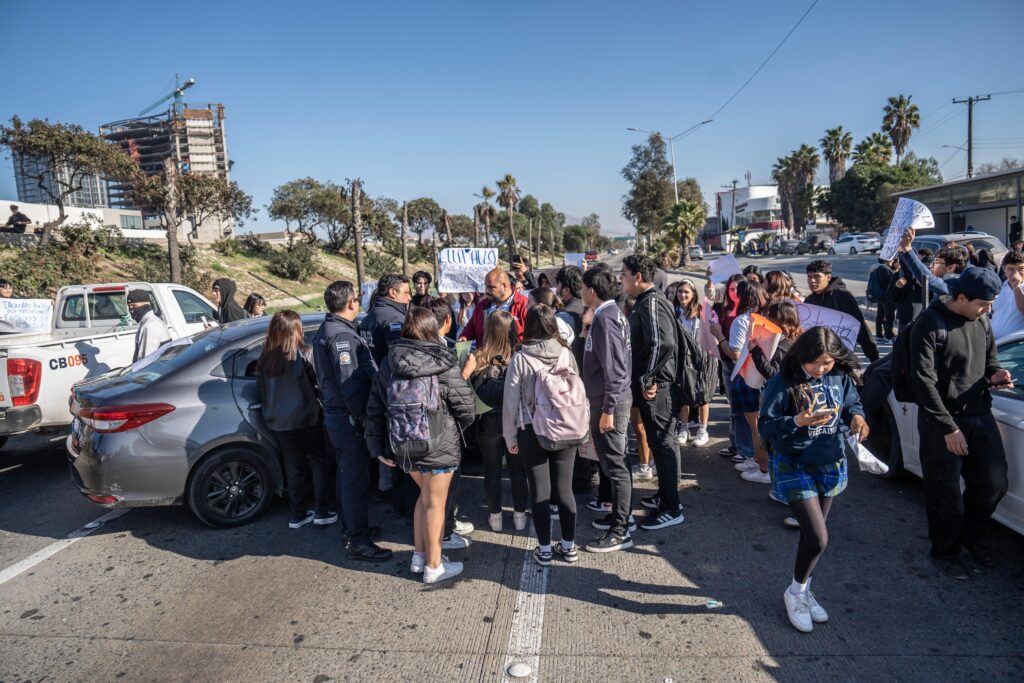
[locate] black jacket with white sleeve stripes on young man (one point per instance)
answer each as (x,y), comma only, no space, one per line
(653,336)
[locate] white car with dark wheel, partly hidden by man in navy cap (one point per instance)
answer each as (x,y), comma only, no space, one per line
(894,436)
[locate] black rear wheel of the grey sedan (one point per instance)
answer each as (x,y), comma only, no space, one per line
(230,488)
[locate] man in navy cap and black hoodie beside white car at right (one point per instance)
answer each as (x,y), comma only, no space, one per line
(954,367)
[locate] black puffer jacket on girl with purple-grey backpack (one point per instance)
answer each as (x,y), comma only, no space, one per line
(408,359)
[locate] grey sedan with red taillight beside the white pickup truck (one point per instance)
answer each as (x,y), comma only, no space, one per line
(184,430)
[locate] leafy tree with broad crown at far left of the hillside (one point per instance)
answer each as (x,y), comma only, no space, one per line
(61,158)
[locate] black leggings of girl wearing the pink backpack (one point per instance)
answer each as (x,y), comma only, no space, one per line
(540,466)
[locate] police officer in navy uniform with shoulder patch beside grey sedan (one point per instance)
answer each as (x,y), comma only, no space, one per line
(346,369)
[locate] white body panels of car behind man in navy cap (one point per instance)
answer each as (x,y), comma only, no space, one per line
(1008,408)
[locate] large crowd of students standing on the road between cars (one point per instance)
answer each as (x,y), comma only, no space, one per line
(560,375)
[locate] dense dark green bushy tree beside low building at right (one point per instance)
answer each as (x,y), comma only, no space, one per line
(864,199)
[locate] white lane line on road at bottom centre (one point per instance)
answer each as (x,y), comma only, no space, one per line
(528,619)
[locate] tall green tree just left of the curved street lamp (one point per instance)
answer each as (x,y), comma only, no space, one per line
(650,175)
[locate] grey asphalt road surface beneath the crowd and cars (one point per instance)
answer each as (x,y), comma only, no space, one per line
(153,595)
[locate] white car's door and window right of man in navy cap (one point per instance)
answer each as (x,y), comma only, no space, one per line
(1008,408)
